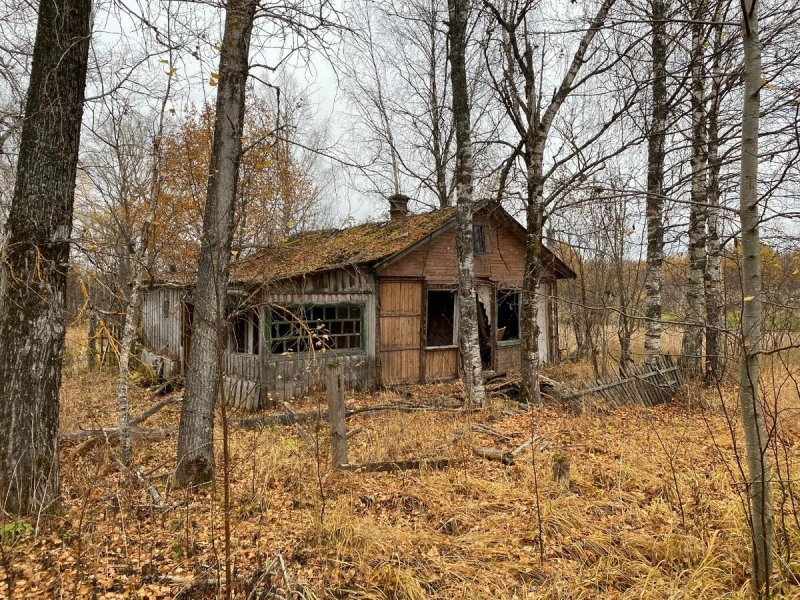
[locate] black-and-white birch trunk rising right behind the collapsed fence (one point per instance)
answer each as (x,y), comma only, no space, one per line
(655,184)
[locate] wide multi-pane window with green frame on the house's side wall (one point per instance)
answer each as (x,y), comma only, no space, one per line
(315,327)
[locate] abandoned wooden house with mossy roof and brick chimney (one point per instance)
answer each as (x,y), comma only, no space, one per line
(379,297)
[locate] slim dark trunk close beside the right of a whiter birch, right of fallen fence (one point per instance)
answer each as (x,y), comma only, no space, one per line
(713,246)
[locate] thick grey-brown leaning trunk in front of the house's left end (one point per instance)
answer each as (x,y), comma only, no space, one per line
(195,460)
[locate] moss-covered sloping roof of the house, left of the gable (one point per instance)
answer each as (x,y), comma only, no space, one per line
(330,249)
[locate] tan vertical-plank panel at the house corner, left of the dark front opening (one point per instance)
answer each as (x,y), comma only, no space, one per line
(400,330)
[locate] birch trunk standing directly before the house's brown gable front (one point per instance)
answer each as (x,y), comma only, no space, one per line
(467,304)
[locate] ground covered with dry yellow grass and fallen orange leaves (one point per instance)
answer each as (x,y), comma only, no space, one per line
(653,510)
